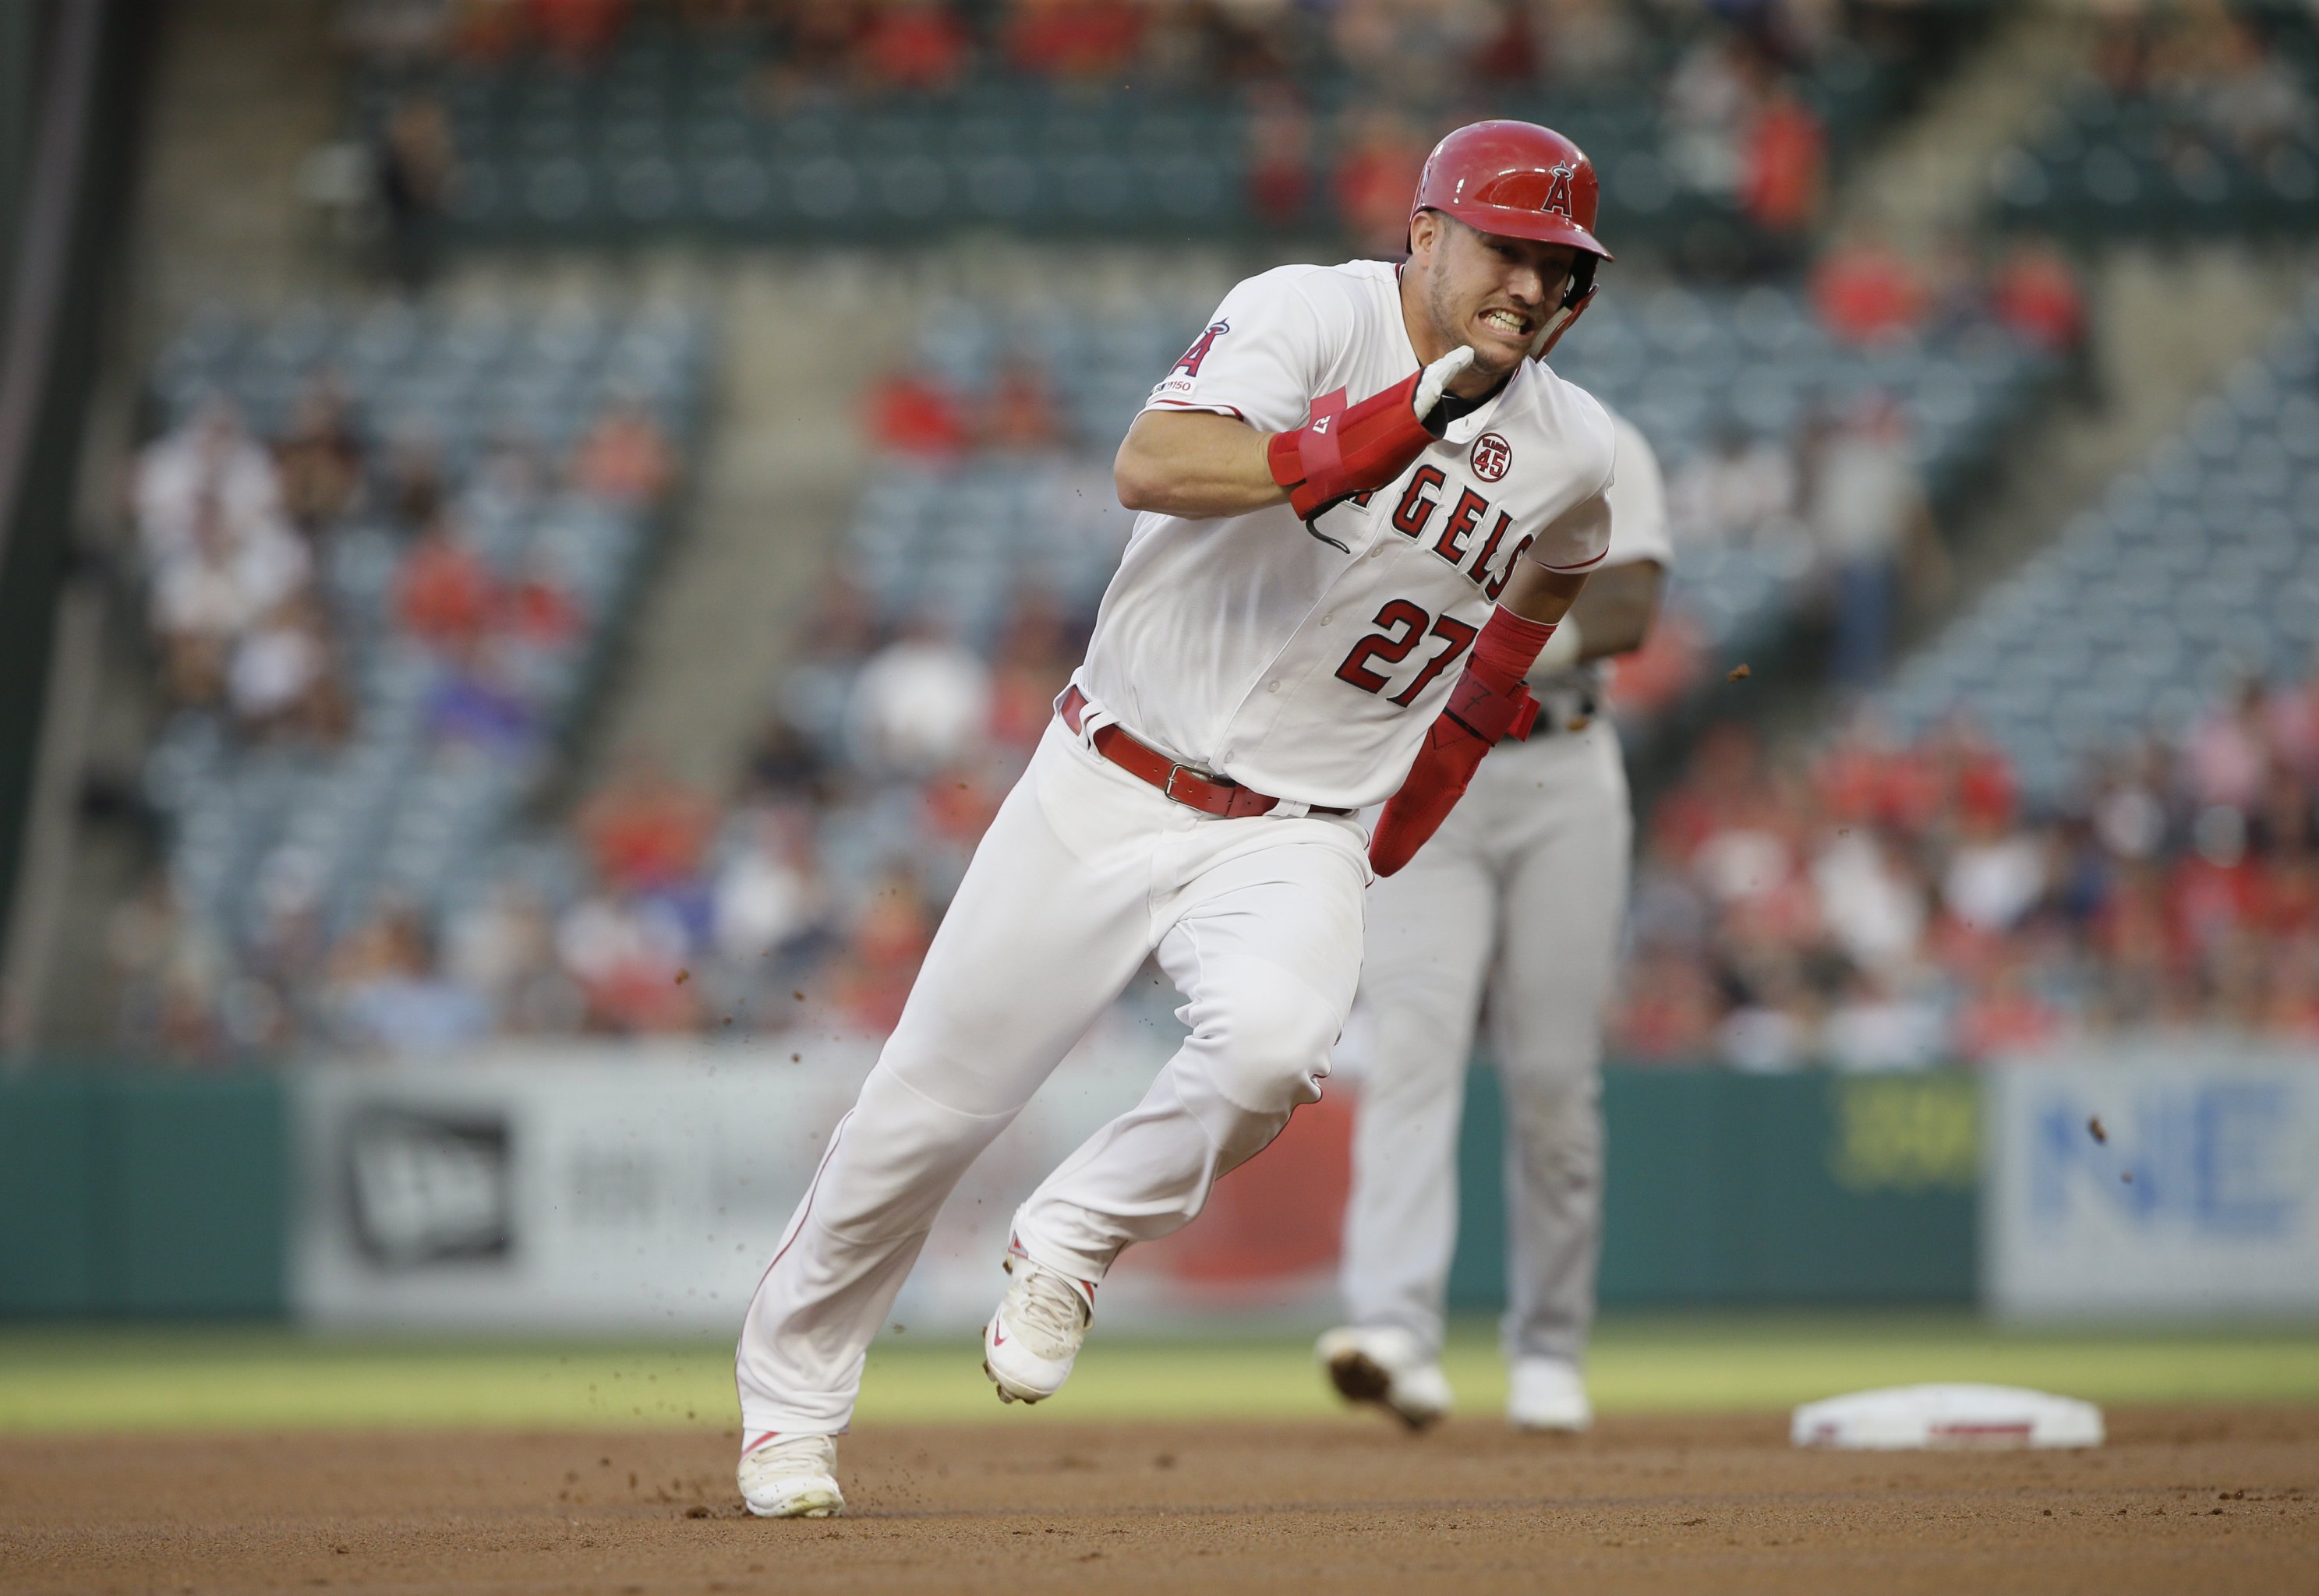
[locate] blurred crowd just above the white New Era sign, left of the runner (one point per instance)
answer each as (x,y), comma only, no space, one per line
(806,899)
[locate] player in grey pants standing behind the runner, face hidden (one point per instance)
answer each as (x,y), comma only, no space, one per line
(1520,899)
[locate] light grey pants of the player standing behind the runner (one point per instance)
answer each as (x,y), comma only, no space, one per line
(1522,890)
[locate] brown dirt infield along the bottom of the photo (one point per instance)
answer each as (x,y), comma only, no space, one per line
(2220,1500)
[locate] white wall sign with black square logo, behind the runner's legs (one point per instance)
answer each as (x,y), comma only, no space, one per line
(625,1189)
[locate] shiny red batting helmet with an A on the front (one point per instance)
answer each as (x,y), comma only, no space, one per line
(1522,182)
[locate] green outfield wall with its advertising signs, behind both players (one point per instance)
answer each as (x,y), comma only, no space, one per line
(639,1191)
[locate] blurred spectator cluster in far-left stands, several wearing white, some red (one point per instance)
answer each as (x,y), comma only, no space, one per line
(235,535)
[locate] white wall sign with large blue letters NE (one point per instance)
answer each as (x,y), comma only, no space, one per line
(2167,1180)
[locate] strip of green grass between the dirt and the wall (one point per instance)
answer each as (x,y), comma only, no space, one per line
(270,1379)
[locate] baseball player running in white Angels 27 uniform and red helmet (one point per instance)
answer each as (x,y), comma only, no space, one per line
(1362,512)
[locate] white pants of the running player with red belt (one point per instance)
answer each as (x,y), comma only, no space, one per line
(1082,876)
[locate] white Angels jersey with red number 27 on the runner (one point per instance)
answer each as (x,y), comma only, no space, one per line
(1309,665)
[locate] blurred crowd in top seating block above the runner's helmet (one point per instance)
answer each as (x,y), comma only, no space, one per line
(1344,99)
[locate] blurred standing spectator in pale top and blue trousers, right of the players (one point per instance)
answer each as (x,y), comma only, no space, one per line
(1873,523)
